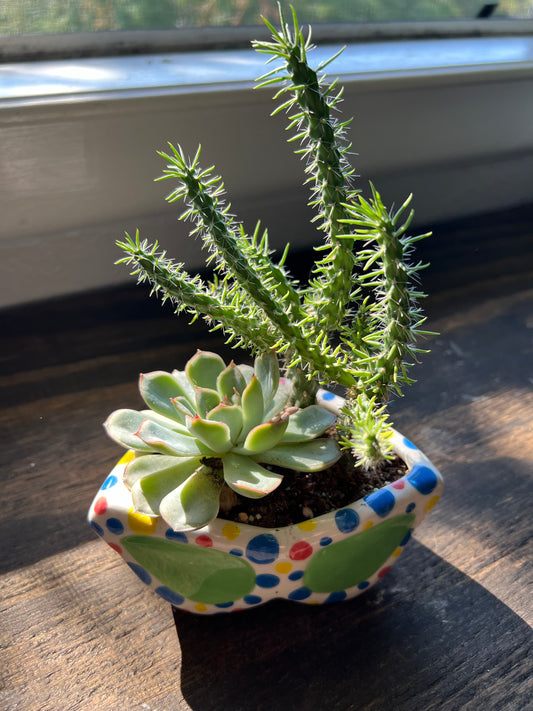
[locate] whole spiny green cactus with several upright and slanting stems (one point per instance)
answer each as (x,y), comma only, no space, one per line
(356,322)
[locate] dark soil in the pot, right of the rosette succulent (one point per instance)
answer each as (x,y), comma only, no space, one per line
(302,496)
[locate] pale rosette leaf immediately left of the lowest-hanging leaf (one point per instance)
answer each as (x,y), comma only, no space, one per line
(149,490)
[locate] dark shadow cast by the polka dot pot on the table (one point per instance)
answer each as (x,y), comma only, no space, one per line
(432,638)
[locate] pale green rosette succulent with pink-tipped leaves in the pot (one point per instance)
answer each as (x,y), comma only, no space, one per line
(211,424)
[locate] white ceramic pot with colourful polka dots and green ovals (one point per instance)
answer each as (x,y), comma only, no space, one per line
(227,566)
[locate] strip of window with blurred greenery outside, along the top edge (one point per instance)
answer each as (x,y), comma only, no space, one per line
(19,17)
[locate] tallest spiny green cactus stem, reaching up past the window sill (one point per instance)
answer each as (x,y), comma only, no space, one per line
(312,105)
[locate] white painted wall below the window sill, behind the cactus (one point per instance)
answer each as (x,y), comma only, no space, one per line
(77,169)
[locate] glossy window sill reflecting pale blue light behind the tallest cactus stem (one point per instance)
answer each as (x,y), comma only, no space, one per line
(27,83)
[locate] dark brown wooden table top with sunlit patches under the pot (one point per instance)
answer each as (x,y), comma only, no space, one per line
(450,627)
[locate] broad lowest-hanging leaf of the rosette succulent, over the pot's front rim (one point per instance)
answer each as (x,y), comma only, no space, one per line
(194,503)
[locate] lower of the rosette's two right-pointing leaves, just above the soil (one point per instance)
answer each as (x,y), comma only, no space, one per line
(304,456)
